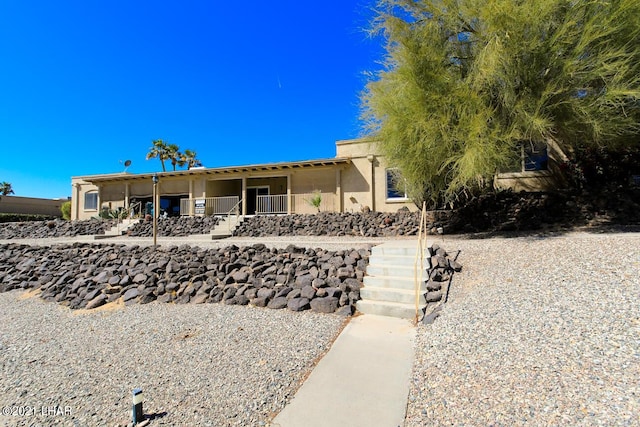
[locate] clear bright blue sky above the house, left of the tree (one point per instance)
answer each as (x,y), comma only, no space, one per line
(86,85)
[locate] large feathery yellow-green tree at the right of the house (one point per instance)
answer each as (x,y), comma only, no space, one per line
(465,83)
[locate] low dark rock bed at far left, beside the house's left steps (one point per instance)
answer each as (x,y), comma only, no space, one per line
(54,228)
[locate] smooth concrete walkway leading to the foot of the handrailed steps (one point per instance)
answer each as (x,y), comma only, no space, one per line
(362,381)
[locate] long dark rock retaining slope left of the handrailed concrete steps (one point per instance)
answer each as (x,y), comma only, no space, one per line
(87,276)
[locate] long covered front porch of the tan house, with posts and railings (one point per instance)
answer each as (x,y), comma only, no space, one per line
(268,189)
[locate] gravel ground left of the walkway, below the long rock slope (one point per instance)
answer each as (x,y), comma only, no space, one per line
(198,365)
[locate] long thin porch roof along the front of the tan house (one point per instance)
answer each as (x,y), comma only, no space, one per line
(227,170)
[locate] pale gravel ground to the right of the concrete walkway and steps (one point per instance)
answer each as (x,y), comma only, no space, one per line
(537,332)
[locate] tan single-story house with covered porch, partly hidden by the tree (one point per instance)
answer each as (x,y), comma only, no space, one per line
(356,178)
